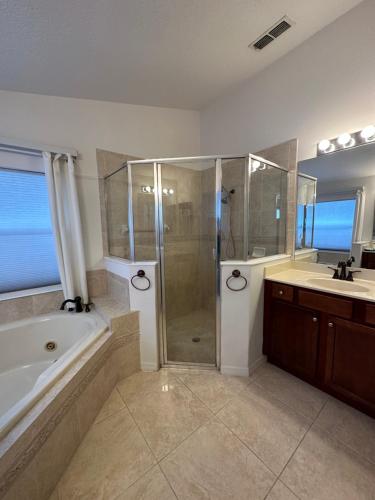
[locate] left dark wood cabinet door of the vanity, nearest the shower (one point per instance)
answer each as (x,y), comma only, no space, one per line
(293,342)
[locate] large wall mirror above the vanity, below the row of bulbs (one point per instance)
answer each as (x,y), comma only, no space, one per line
(335,207)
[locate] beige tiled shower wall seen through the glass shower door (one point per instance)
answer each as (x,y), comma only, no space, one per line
(189,228)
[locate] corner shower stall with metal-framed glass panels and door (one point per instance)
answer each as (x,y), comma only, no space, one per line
(188,215)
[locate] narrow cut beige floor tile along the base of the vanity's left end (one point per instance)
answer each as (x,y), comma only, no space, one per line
(300,396)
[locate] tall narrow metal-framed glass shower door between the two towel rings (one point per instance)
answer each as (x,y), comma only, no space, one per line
(188,238)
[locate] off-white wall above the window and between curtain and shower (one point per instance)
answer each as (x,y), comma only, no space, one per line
(86,125)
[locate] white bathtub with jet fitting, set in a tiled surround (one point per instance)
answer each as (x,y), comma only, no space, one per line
(28,368)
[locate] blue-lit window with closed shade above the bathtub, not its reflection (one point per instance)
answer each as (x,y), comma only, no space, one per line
(27,249)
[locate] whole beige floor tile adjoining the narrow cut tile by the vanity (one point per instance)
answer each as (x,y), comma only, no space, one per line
(268,427)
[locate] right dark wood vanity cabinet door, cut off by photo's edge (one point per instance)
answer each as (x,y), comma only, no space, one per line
(350,366)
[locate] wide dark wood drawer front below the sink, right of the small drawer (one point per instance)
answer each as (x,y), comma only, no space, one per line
(326,303)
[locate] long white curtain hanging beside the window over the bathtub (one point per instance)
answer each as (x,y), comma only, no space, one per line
(66,224)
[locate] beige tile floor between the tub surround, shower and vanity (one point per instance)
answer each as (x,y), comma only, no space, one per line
(201,435)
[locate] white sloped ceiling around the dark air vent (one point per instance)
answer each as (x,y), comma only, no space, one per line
(173,53)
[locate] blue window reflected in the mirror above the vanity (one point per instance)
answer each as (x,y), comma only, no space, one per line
(333,225)
